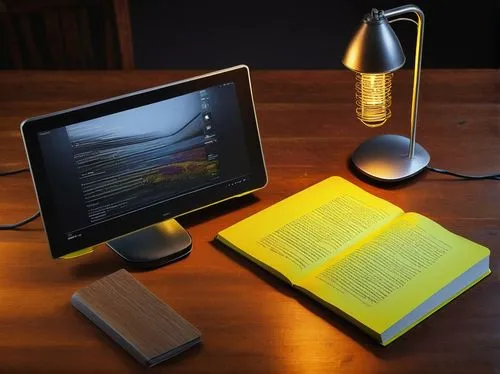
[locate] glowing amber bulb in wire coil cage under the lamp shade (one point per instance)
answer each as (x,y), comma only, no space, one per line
(373,98)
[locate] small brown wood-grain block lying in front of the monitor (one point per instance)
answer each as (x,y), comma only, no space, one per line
(145,326)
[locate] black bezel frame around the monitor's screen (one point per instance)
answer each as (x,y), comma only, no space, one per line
(180,205)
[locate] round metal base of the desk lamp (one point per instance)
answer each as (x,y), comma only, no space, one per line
(385,158)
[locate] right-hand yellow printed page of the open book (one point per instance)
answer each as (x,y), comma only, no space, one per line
(386,276)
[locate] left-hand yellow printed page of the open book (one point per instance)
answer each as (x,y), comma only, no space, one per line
(300,232)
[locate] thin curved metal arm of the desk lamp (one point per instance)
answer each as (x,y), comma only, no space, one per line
(394,12)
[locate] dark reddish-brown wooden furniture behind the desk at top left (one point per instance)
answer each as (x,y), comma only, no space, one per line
(66,34)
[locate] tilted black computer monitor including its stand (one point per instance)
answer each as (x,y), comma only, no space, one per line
(120,170)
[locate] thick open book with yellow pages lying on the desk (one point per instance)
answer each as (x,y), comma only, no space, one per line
(364,258)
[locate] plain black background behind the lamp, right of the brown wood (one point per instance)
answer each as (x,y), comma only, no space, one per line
(304,35)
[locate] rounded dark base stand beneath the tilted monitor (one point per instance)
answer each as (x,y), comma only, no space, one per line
(153,246)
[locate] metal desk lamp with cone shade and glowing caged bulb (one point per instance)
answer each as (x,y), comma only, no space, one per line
(374,53)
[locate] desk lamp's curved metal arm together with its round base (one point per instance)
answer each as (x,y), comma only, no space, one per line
(393,158)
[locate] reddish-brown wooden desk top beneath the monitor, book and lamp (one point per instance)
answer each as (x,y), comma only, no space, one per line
(252,322)
